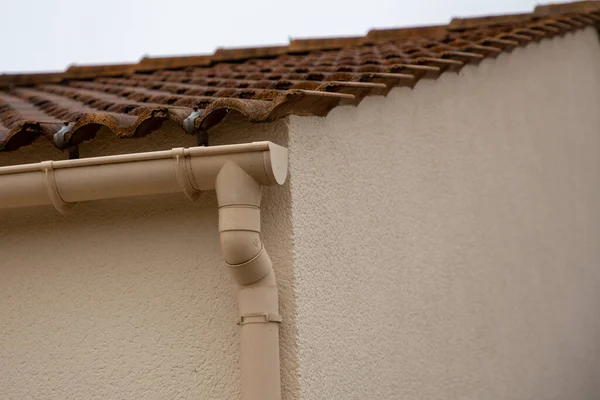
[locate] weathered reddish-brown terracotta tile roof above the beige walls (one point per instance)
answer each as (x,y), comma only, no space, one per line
(307,77)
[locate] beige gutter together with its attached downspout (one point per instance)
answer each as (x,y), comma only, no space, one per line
(237,173)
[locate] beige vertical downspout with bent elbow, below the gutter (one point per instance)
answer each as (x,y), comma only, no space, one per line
(239,199)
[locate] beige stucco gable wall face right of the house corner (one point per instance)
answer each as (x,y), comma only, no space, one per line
(446,239)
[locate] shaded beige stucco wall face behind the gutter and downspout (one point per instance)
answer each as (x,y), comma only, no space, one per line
(130,299)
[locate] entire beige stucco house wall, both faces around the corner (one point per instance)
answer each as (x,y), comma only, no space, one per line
(444,245)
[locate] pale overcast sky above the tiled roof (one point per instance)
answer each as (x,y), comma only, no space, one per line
(47,35)
